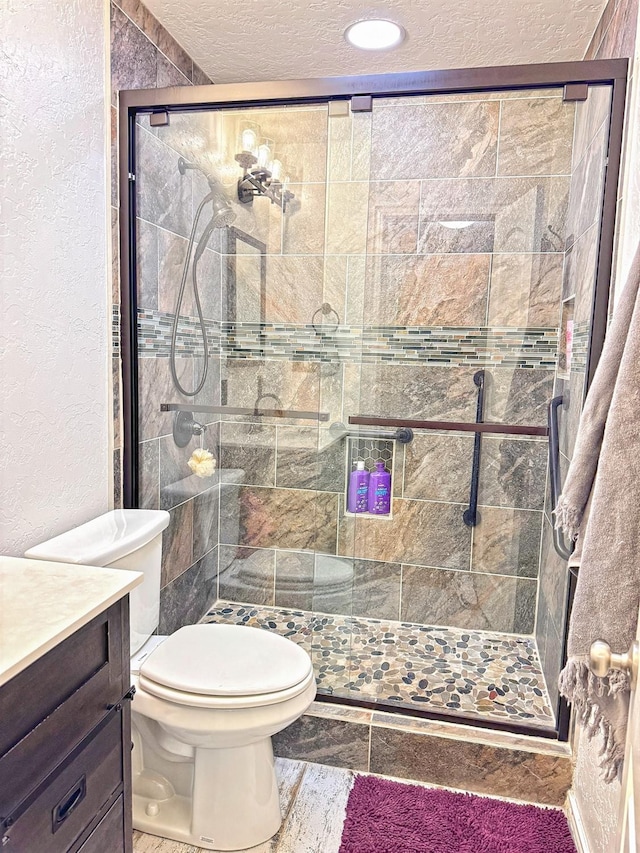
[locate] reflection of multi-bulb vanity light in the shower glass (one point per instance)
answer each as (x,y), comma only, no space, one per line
(262,175)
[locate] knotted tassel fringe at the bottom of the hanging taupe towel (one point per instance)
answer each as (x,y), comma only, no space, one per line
(579,686)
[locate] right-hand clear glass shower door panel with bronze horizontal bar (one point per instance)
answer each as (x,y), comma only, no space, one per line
(458,286)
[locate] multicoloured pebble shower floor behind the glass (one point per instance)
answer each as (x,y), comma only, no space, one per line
(444,670)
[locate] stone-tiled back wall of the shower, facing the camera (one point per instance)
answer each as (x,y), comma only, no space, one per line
(487,295)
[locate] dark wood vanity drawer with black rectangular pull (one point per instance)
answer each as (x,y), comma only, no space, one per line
(72,797)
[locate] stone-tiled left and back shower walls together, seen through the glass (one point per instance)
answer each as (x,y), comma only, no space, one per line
(417,307)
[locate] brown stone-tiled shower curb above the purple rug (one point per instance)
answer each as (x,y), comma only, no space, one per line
(438,753)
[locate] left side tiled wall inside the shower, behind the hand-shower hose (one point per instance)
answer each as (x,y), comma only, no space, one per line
(167,203)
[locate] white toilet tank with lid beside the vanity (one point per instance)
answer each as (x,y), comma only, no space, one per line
(122,539)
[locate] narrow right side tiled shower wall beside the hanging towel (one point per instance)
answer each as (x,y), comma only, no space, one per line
(587,177)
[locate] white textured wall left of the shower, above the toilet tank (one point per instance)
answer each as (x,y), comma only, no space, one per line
(54,457)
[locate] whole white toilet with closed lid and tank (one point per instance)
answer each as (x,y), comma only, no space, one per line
(208,699)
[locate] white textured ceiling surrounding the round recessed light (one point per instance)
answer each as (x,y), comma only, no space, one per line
(284,39)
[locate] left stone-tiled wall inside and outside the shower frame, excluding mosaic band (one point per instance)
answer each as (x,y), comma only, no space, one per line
(144,55)
